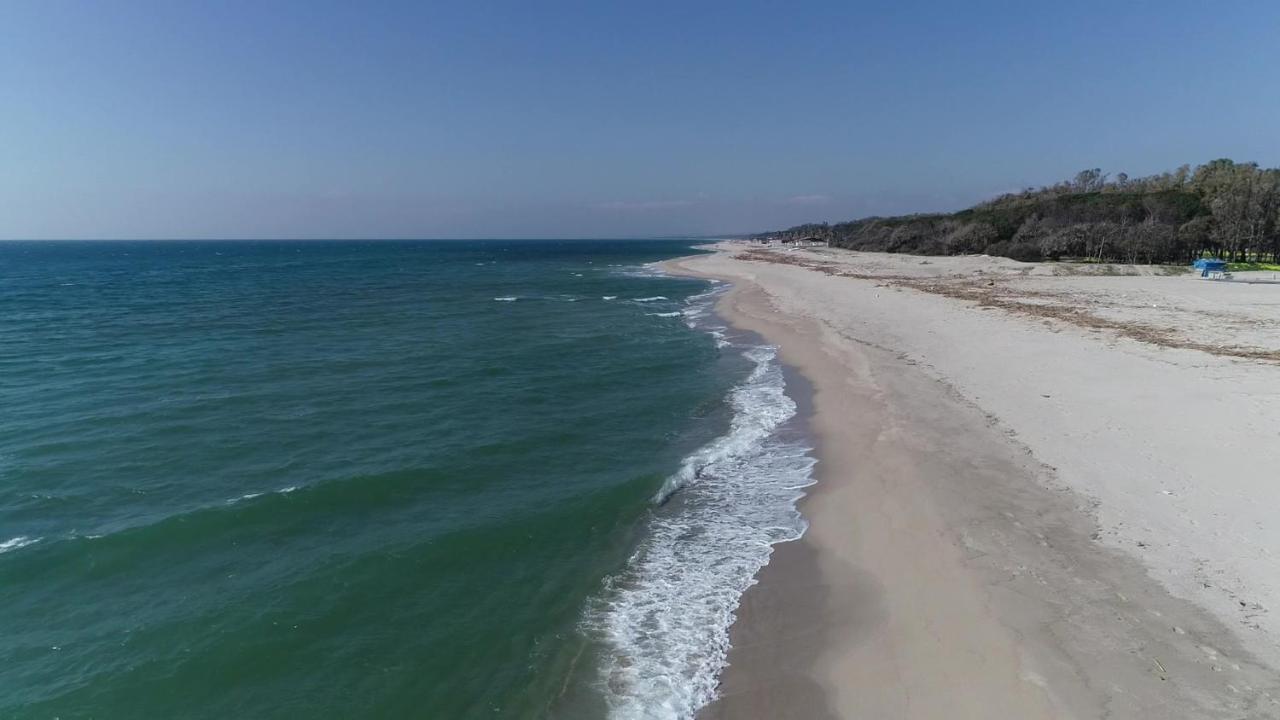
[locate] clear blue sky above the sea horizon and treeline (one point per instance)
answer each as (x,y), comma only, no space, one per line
(570,120)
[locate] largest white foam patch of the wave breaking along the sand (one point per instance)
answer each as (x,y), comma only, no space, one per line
(665,621)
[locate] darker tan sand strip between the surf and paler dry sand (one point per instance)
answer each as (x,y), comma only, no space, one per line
(947,571)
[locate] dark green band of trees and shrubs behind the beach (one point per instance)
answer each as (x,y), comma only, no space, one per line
(1222,209)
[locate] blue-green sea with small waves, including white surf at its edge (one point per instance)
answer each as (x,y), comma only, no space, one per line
(382,480)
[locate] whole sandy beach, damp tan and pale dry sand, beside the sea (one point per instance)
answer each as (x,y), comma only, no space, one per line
(1045,491)
